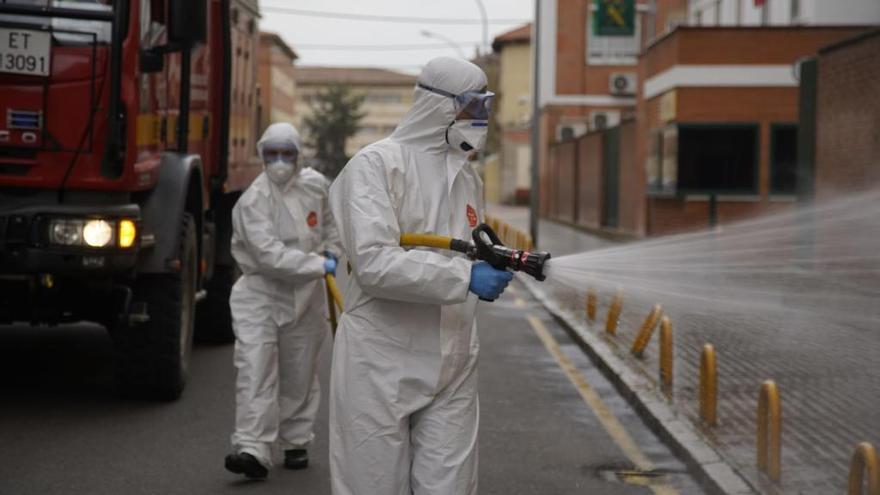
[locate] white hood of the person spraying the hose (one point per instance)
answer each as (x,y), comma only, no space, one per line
(425,125)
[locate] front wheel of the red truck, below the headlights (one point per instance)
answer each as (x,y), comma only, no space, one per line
(153,356)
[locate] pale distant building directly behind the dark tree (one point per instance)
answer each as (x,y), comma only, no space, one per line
(387,97)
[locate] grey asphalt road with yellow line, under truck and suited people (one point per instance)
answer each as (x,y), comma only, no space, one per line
(64,432)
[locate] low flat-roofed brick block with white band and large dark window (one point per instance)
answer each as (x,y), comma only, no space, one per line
(718,115)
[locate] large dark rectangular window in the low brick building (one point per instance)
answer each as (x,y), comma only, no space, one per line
(720,158)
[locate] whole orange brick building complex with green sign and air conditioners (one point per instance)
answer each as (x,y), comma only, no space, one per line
(710,131)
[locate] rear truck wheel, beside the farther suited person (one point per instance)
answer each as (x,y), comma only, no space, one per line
(213,317)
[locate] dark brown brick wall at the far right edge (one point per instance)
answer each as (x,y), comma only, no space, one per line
(848,117)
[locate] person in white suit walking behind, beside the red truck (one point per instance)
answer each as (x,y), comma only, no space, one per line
(281,225)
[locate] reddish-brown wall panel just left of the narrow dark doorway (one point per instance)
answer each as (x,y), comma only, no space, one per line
(590,180)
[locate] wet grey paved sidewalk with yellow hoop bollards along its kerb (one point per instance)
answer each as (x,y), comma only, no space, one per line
(829,391)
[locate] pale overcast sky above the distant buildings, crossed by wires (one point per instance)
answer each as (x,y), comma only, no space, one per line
(367,43)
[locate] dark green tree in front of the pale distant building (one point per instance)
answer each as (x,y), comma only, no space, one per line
(335,117)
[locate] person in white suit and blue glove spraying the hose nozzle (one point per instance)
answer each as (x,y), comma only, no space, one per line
(403,393)
